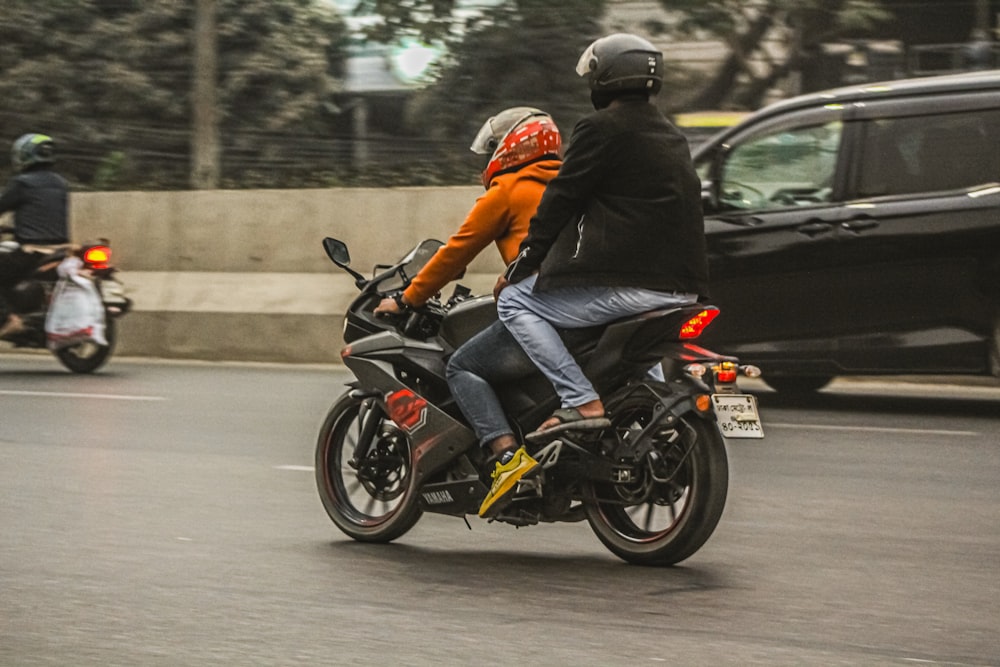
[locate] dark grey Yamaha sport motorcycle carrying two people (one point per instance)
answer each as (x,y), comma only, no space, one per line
(652,485)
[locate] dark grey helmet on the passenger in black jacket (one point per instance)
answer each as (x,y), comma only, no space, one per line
(620,64)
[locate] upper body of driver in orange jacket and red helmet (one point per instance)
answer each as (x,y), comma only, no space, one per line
(524,144)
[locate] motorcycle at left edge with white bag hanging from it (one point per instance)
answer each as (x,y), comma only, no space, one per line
(34,295)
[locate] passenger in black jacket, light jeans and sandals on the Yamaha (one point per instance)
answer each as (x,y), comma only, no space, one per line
(619,230)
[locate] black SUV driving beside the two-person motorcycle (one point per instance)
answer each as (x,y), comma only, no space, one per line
(857,231)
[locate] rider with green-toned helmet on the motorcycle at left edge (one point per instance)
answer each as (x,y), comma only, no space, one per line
(39,197)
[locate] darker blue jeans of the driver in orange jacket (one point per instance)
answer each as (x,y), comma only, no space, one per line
(489,358)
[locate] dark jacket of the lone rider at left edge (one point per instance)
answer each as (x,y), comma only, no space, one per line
(39,198)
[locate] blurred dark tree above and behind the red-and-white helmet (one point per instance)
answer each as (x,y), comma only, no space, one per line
(517,52)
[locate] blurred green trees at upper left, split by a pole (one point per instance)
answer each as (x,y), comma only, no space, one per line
(114,79)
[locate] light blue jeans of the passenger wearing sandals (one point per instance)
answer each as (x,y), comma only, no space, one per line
(532,317)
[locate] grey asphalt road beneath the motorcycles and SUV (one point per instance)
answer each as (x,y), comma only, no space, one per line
(166,514)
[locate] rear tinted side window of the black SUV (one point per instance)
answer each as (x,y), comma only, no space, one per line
(929,153)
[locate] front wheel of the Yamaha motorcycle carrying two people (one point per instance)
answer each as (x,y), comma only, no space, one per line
(370,498)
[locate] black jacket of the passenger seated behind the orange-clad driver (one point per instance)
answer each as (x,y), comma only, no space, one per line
(624,210)
